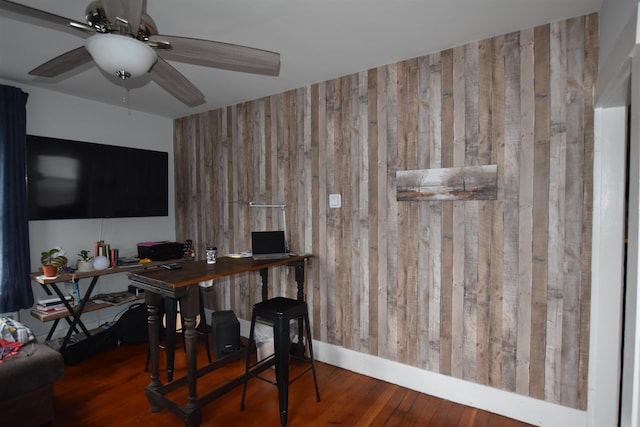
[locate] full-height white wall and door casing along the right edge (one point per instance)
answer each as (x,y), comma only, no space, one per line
(618,86)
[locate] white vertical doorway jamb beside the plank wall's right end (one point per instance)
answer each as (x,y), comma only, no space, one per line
(607,267)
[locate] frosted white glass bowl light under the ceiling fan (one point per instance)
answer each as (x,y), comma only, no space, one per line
(122,56)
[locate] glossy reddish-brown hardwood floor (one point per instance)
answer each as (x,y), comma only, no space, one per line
(108,390)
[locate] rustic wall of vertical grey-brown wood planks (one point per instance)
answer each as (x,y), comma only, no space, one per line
(495,292)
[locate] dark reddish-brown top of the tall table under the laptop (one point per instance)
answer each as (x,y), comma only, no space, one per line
(194,272)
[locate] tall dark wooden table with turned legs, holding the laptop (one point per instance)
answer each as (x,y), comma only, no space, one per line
(183,285)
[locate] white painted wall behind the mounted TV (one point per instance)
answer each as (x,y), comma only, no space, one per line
(52,114)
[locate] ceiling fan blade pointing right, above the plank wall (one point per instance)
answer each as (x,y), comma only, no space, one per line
(219,55)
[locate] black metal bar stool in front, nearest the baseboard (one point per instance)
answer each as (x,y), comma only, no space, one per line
(279,311)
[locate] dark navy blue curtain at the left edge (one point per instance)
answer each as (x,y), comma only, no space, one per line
(15,285)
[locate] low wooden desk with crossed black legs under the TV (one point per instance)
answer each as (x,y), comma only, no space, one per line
(74,313)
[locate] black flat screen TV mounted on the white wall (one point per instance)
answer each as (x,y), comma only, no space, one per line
(72,180)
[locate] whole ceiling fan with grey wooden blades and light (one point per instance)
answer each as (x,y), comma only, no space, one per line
(123,41)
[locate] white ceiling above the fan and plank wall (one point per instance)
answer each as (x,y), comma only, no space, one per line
(317,39)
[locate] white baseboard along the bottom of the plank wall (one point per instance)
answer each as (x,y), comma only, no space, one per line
(512,405)
